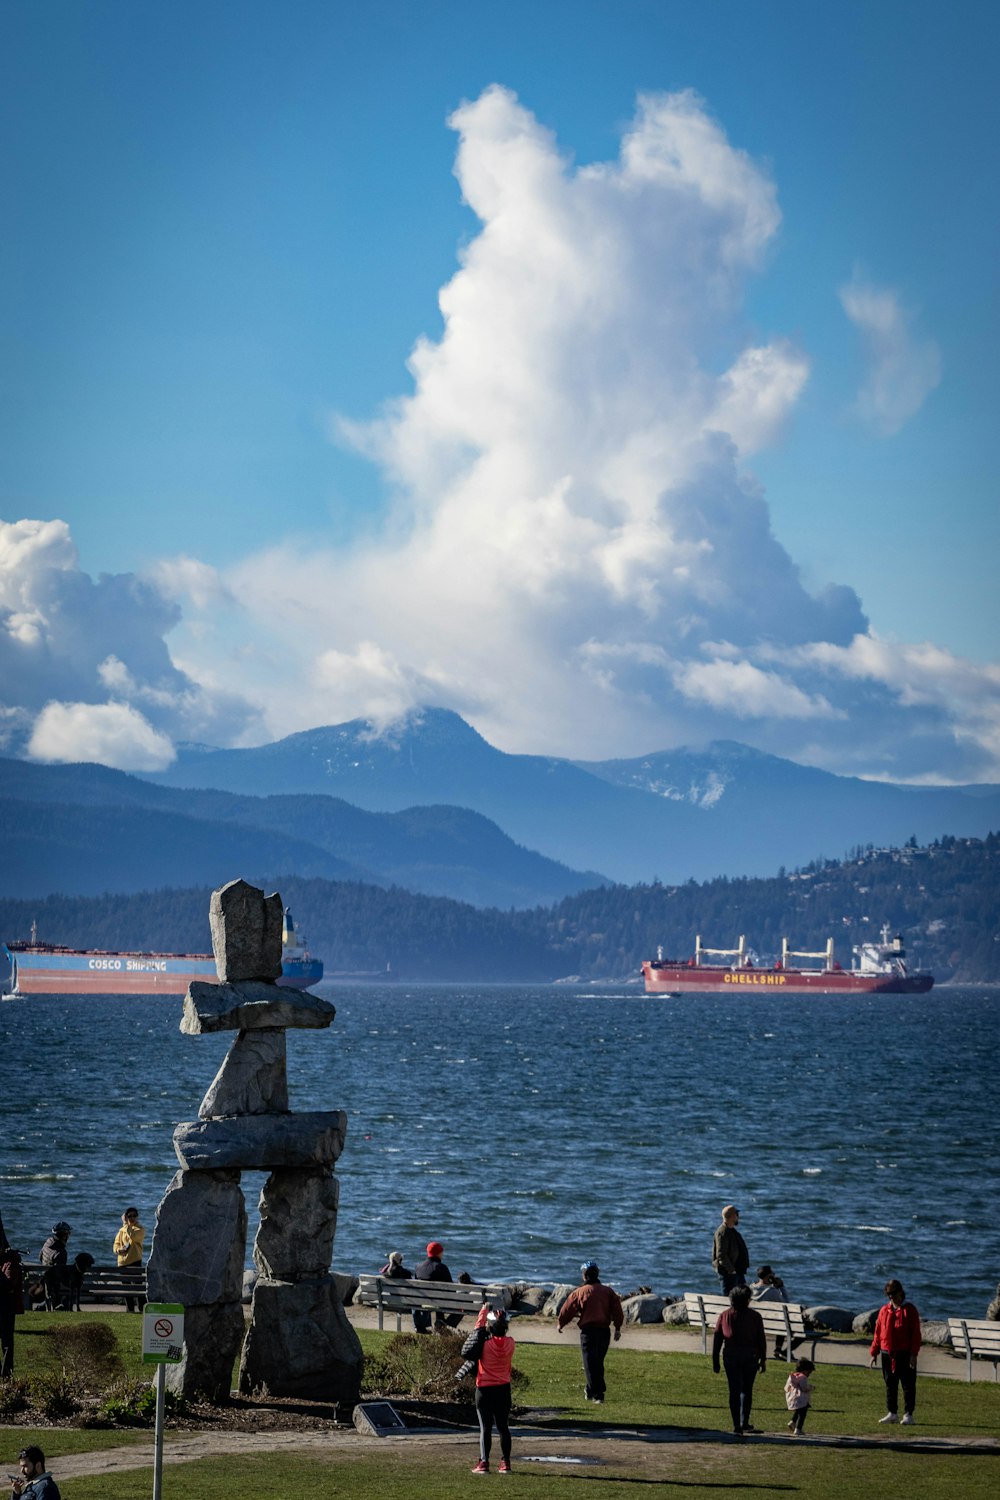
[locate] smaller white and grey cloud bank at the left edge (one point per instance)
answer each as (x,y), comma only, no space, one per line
(85,664)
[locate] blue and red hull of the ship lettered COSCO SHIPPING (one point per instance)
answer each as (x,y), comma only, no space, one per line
(40,973)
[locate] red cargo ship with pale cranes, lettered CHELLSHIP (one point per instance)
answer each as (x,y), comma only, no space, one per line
(876,967)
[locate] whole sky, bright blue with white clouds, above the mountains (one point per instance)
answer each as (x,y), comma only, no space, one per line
(229,227)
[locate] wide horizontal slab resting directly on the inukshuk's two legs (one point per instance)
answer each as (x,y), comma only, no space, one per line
(260,1142)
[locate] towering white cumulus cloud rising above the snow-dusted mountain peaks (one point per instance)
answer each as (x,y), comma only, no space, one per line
(581,559)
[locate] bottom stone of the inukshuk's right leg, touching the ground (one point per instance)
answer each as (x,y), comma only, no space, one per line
(301,1343)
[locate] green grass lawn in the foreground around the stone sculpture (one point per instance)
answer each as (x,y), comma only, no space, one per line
(651,1397)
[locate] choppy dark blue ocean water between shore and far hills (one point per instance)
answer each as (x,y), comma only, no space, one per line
(531,1129)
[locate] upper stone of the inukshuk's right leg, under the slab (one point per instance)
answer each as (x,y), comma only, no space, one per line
(299,1222)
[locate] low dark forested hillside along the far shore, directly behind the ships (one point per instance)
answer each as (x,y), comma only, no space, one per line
(944,899)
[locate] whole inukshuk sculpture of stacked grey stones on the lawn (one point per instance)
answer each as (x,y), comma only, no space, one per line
(299,1340)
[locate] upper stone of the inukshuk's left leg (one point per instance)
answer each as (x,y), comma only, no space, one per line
(200,1241)
